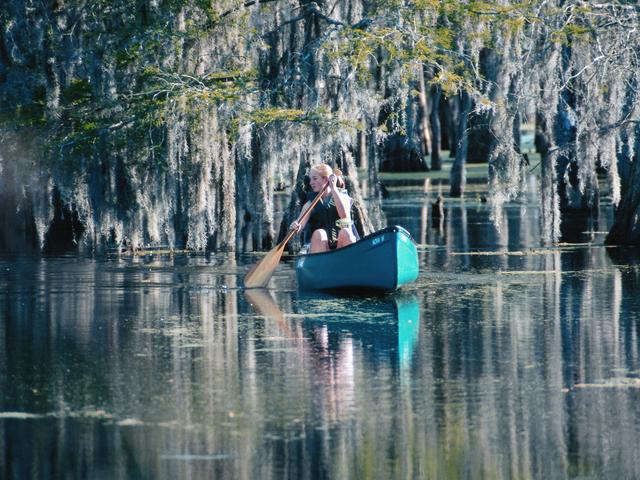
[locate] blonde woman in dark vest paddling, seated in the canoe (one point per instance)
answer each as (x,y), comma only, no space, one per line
(330,222)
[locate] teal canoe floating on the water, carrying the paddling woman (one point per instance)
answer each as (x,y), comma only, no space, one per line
(382,261)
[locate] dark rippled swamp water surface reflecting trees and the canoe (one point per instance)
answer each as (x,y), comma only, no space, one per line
(504,360)
